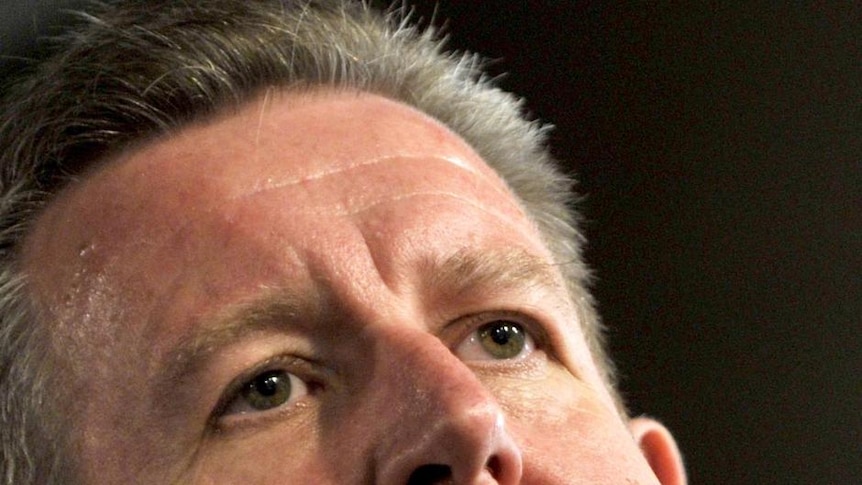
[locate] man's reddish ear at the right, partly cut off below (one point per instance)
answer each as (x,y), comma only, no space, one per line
(659,449)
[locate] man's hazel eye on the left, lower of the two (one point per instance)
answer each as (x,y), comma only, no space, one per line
(265,390)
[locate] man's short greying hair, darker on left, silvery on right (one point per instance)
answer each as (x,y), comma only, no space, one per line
(141,71)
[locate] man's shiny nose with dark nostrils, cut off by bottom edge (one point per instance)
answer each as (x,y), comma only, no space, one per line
(442,425)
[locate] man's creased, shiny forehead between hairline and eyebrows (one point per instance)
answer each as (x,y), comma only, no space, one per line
(290,180)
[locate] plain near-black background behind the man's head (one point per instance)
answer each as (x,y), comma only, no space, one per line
(719,148)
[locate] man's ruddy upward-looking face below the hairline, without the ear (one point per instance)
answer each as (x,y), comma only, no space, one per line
(320,288)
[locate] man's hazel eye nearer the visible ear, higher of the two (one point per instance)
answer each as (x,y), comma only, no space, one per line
(497,340)
